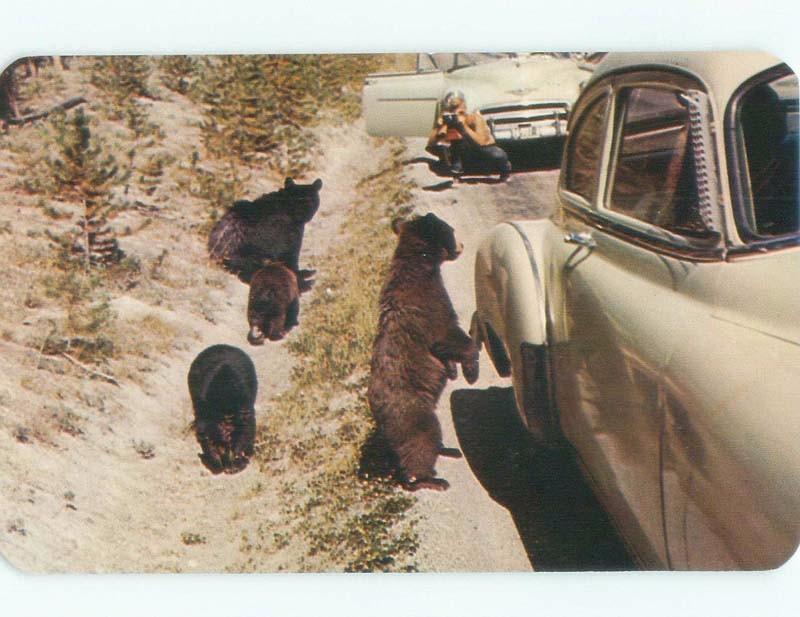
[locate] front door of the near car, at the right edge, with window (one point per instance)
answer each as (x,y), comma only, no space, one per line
(732,385)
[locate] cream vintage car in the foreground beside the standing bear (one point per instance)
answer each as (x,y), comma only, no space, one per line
(653,322)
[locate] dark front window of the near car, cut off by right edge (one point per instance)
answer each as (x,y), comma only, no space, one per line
(768,116)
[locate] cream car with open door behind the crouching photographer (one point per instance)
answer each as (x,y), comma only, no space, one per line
(524,97)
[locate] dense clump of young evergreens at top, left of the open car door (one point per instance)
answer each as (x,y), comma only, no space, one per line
(265,107)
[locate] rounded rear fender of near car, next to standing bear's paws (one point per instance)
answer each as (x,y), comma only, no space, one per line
(511,302)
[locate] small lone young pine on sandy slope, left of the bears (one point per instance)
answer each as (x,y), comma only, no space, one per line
(84,171)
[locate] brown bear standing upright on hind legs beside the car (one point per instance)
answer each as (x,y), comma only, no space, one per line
(416,350)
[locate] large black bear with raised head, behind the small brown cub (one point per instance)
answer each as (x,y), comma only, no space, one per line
(269,228)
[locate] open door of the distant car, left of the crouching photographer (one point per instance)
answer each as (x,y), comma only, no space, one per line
(403,104)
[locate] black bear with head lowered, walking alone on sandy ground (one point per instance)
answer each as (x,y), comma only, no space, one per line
(223,387)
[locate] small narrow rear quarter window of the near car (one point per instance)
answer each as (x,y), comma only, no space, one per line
(585,150)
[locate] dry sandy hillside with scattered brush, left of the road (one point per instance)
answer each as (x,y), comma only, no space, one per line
(99,464)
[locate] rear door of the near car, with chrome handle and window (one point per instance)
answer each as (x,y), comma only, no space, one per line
(621,267)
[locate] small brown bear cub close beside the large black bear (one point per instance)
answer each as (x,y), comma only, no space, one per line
(274,303)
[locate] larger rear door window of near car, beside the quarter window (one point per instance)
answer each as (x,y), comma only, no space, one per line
(654,178)
